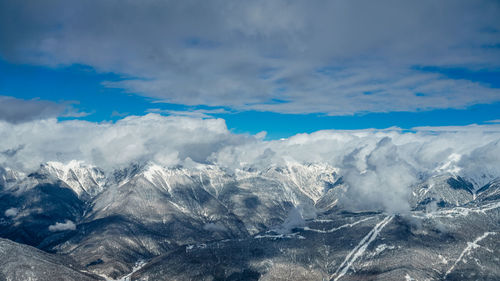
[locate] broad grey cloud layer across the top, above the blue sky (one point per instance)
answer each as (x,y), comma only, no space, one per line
(332,57)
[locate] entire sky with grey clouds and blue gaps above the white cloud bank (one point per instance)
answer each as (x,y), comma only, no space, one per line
(283,67)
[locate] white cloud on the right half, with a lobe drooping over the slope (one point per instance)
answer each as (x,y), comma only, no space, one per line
(381,165)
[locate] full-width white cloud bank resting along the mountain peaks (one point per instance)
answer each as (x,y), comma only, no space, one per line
(378,165)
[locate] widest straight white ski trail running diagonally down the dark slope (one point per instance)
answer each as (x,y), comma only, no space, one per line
(360,249)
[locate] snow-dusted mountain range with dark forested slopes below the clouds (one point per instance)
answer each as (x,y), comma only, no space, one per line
(289,222)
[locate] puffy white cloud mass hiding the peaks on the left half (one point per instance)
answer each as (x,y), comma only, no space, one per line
(165,140)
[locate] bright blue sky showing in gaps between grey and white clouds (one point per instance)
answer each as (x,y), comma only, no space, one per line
(84,87)
